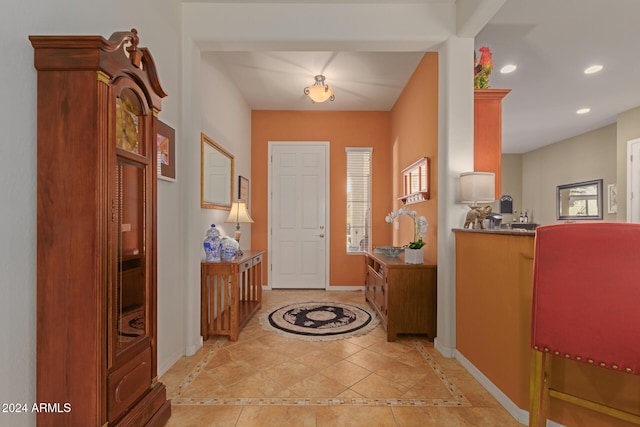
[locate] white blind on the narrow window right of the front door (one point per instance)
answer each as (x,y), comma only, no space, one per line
(358,198)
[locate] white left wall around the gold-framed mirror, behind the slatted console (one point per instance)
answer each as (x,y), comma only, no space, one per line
(211,105)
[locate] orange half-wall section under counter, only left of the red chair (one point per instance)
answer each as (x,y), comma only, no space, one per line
(493,306)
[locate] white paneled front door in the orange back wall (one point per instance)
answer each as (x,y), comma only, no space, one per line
(298,239)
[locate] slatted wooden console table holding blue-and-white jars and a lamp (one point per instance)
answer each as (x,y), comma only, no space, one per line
(230,293)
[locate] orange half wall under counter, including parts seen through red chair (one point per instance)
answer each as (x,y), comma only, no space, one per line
(494,270)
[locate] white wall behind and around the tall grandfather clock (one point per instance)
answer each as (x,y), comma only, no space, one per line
(158,26)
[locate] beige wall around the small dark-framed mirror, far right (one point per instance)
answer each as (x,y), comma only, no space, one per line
(582,158)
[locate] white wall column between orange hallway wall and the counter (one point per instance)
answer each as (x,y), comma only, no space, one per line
(455,155)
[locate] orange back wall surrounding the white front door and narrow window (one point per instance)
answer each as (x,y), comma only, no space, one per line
(342,129)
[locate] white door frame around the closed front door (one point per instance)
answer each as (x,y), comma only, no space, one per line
(327,238)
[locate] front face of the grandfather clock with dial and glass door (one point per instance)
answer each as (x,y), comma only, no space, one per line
(131,366)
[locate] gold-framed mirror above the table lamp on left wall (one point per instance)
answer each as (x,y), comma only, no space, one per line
(216,175)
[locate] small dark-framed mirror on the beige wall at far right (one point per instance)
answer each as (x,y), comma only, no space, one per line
(582,200)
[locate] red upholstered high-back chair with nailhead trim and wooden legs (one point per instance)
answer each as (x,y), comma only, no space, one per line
(586,306)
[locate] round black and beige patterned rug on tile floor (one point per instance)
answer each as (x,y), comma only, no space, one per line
(320,321)
